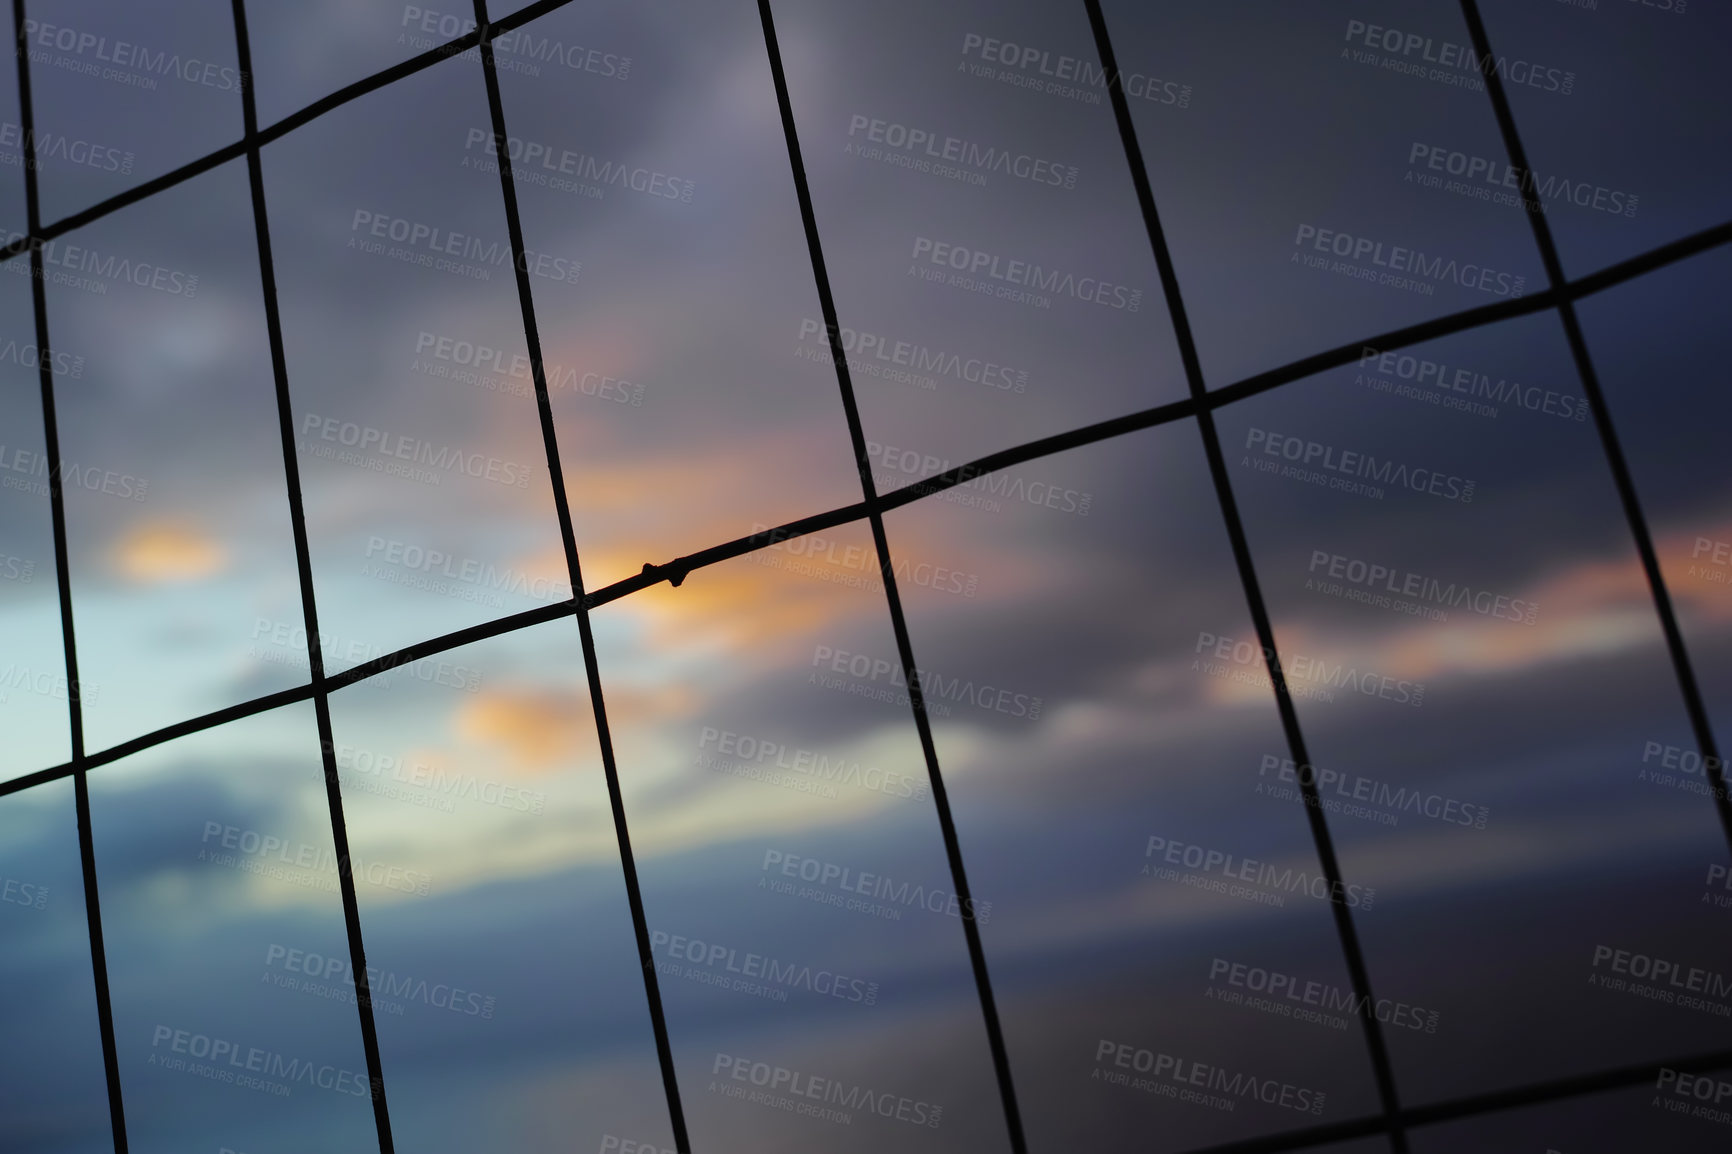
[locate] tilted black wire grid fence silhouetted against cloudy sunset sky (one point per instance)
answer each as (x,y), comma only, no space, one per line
(1199,406)
